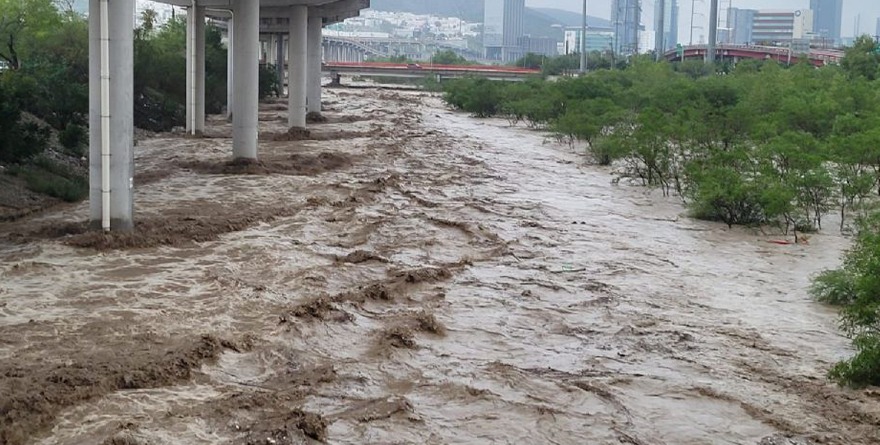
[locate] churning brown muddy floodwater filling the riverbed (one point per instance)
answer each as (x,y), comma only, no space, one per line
(408,274)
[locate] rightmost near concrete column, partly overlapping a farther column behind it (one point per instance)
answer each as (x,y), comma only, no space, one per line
(297,66)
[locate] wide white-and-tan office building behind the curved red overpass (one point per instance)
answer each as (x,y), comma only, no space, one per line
(779,27)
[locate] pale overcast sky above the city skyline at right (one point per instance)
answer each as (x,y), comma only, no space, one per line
(869,10)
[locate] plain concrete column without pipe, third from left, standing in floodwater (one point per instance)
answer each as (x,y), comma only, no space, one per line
(246,48)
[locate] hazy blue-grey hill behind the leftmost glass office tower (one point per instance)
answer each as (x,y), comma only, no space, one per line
(538,22)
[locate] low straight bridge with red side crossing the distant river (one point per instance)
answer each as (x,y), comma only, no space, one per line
(412,70)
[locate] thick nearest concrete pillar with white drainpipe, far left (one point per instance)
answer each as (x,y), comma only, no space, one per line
(121,35)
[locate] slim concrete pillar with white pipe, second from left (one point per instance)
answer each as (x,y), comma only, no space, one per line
(195,71)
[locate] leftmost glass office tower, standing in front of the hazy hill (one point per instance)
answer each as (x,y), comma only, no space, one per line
(502,29)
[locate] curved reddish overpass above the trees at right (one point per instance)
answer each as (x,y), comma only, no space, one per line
(735,53)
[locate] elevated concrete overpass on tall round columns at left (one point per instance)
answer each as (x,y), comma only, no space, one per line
(111,83)
